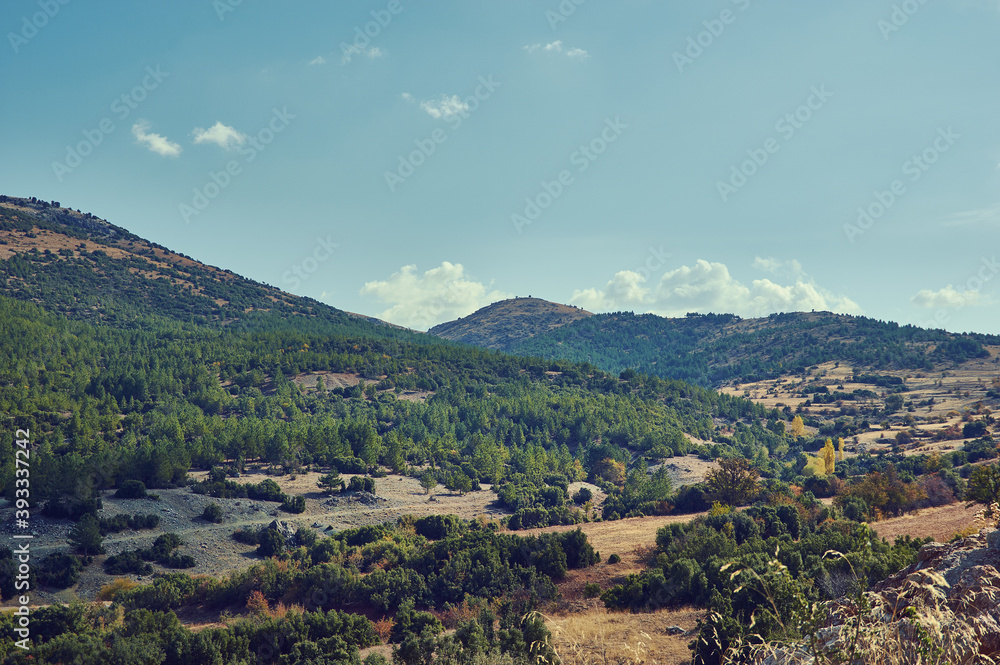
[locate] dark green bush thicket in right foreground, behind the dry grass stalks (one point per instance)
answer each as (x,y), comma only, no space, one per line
(709,561)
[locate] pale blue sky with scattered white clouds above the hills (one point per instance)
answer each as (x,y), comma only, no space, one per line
(418,160)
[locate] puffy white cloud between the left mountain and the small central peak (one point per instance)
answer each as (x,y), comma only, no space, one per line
(440,294)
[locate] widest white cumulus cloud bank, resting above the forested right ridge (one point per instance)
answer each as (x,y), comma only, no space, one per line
(709,287)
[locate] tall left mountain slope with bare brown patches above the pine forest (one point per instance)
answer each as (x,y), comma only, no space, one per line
(80,265)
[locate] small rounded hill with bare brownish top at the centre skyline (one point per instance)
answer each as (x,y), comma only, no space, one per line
(506,324)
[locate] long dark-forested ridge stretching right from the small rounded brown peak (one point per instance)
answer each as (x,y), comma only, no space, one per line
(717,349)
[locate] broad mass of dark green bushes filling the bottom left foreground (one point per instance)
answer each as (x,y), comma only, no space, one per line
(483,584)
